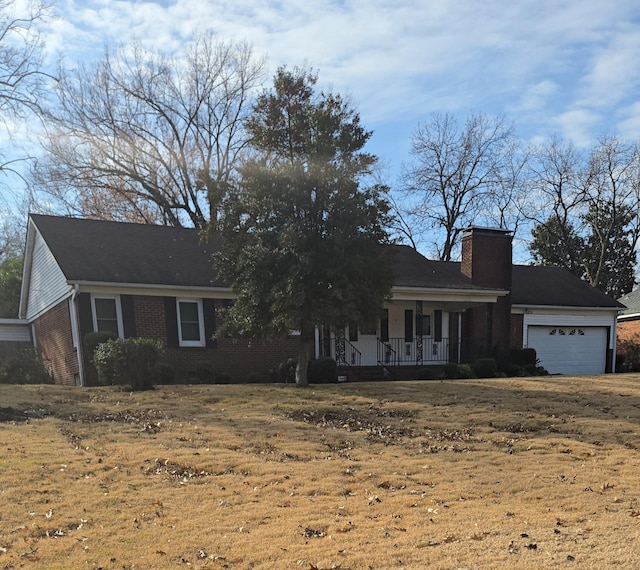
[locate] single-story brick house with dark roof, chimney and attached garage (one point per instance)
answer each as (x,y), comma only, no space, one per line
(159,282)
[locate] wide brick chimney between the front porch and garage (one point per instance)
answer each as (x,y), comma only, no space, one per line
(487,261)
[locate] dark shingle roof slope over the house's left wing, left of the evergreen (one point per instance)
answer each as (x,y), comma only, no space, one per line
(115,252)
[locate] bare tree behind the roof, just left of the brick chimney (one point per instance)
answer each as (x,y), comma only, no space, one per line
(460,176)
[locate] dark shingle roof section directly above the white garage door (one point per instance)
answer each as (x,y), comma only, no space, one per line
(555,286)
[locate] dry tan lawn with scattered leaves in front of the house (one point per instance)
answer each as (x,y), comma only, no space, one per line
(527,473)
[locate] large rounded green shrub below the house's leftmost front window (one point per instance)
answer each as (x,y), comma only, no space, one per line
(132,361)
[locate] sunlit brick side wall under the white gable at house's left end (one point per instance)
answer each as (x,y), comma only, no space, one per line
(54,344)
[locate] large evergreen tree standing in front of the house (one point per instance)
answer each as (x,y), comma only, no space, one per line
(303,236)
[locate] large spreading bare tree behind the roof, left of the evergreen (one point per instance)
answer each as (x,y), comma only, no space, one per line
(150,138)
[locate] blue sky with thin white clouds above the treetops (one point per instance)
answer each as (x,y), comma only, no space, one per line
(568,68)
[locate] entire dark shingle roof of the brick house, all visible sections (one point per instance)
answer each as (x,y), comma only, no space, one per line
(116,252)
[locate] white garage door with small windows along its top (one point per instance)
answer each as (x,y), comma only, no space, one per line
(570,350)
